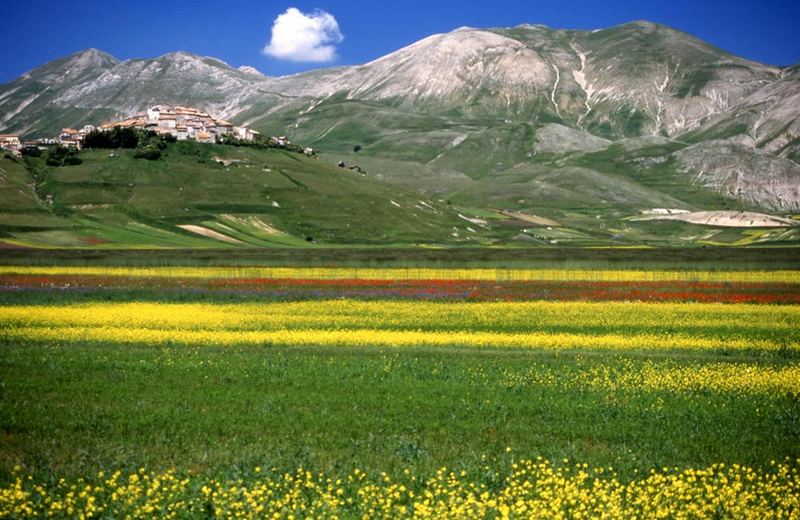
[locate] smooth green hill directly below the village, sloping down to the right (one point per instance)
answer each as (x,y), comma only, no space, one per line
(223,196)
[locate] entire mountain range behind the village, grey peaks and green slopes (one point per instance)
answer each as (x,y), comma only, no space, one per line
(570,125)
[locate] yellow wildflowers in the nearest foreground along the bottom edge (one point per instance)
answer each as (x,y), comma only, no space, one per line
(532,489)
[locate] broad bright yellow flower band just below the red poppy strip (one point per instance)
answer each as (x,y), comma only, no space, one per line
(528,325)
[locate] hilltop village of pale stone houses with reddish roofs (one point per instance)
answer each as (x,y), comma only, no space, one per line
(183,123)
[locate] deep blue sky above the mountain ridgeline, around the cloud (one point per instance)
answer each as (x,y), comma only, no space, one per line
(237,31)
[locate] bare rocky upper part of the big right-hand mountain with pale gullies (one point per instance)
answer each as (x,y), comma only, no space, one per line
(635,79)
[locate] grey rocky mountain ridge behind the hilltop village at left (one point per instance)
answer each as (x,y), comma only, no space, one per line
(91,86)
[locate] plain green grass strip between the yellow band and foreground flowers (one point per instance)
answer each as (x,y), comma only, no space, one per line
(73,411)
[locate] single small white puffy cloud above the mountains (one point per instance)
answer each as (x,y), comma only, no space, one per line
(297,36)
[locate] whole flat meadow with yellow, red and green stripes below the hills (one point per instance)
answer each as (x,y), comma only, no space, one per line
(200,391)
